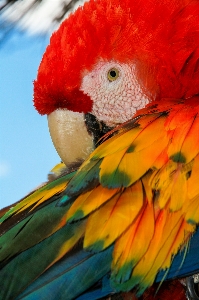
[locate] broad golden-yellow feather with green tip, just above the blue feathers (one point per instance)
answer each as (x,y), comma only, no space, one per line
(114,217)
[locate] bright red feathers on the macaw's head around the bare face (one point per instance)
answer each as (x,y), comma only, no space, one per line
(161,37)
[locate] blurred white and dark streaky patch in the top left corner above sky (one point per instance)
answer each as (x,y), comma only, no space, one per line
(34,16)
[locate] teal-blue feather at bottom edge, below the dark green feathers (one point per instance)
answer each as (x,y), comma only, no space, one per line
(71,276)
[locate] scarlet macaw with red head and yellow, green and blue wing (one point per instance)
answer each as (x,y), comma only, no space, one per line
(129,215)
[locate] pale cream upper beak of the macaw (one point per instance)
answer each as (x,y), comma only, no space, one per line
(69,135)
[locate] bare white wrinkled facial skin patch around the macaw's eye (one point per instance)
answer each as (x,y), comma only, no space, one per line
(115,98)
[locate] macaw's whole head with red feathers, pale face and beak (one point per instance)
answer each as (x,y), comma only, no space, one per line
(110,59)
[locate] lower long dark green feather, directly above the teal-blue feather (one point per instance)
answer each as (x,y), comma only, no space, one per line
(28,265)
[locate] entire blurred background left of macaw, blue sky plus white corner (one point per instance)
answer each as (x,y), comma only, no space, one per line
(26,152)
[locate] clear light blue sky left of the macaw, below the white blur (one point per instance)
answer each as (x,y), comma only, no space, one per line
(26,150)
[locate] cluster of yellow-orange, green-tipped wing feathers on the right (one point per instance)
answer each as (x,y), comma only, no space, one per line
(156,157)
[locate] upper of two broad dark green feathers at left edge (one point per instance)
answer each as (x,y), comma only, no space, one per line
(31,230)
